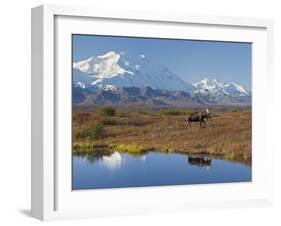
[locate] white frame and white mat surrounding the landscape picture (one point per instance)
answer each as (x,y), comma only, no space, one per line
(51,197)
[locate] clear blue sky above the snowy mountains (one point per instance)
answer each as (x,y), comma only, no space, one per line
(191,60)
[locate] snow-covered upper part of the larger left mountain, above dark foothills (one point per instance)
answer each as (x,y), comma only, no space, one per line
(114,70)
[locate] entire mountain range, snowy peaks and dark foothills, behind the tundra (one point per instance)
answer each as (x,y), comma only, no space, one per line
(123,78)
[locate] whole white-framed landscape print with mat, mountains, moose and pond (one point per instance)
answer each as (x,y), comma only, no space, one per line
(139,112)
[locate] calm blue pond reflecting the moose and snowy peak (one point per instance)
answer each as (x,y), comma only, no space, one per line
(120,170)
